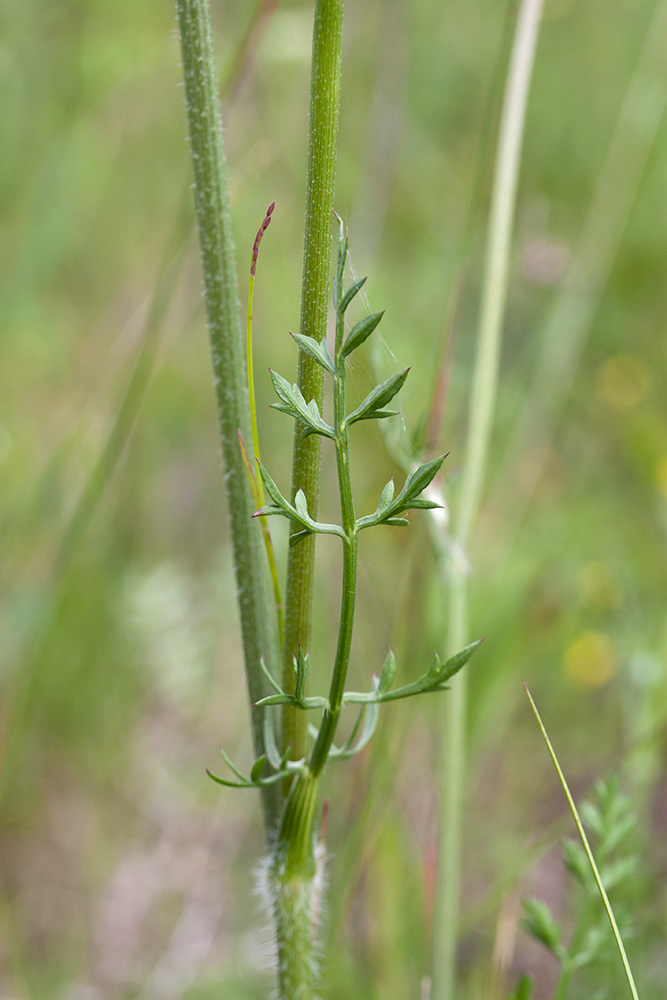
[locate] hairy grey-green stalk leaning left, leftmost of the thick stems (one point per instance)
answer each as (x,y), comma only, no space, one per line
(258,618)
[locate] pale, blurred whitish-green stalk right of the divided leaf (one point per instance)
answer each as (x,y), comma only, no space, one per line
(482,403)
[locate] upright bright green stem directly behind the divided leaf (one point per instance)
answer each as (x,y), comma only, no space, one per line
(324,105)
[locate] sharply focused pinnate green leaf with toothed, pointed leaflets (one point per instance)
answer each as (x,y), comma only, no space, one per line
(387,512)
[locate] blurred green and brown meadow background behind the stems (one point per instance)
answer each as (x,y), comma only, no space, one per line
(124,871)
